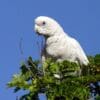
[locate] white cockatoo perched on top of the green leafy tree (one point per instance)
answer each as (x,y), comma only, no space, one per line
(58,44)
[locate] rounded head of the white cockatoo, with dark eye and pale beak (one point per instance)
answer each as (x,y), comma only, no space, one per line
(46,26)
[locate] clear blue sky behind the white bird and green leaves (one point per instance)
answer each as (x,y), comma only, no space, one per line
(79,18)
